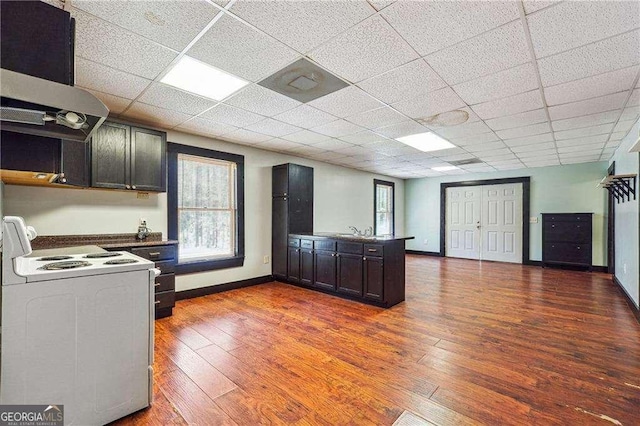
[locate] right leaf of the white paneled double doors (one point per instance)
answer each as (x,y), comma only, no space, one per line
(501,223)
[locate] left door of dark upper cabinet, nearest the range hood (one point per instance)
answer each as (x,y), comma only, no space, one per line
(110,156)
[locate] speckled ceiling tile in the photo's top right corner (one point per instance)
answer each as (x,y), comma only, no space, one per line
(576,23)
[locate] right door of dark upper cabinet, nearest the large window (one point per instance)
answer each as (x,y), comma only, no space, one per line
(148,160)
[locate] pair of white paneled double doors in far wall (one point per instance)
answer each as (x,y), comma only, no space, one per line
(484,222)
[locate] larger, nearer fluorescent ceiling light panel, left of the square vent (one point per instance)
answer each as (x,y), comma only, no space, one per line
(202,79)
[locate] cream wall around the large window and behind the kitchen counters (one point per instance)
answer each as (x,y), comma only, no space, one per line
(342,197)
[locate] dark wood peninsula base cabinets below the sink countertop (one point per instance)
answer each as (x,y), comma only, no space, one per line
(371,272)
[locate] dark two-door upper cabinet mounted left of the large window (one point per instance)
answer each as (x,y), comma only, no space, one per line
(125,157)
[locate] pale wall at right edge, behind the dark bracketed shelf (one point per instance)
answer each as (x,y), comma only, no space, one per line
(627,217)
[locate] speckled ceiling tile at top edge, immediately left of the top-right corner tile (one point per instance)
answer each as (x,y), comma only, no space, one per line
(431,26)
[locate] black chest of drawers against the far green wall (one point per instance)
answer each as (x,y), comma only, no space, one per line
(566,239)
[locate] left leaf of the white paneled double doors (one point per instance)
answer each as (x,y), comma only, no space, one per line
(462,222)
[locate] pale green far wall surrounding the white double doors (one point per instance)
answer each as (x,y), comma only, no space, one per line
(570,189)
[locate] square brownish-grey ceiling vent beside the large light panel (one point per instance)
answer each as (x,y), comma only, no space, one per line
(303,81)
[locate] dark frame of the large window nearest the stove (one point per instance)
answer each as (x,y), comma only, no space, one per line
(173,149)
